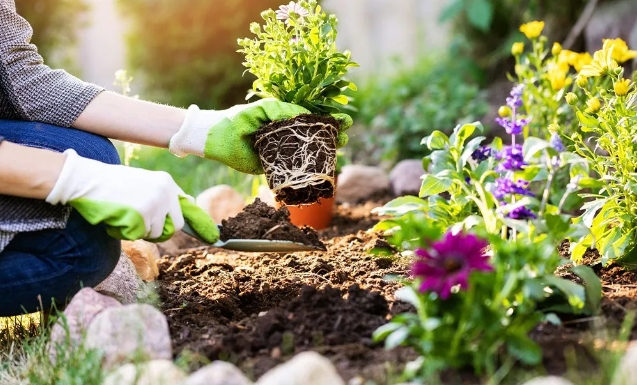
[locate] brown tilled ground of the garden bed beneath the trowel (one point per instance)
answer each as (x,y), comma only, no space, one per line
(258,309)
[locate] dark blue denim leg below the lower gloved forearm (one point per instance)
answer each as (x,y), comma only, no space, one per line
(44,267)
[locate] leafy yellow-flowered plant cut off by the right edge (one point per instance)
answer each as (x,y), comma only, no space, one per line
(606,138)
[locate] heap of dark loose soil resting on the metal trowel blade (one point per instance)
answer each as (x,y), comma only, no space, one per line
(259,220)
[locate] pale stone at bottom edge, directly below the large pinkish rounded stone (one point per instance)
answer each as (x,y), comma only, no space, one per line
(156,372)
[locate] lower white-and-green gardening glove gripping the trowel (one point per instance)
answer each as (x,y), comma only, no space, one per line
(133,203)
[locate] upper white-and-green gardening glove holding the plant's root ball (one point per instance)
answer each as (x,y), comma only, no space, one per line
(225,135)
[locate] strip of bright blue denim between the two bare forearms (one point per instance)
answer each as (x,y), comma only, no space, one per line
(60,139)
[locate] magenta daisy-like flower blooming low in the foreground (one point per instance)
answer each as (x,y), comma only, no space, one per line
(449,262)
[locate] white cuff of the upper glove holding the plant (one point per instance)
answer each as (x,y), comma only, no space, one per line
(193,134)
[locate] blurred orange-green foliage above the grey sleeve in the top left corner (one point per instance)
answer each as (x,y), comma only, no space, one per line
(55,26)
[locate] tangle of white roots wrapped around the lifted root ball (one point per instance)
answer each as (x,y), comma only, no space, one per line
(309,141)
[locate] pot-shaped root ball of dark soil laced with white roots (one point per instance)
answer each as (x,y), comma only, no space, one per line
(308,143)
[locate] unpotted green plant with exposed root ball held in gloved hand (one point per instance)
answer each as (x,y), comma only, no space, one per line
(295,60)
